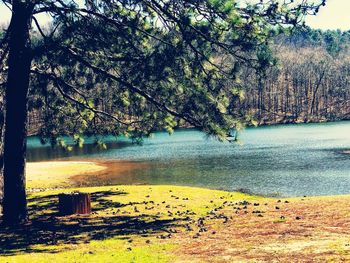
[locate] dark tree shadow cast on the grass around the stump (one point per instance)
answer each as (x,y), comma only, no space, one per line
(47,228)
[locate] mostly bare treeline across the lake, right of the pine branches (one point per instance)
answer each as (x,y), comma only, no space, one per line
(309,82)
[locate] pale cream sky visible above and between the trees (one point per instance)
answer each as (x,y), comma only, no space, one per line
(335,15)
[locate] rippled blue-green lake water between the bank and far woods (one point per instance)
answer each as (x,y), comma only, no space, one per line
(285,160)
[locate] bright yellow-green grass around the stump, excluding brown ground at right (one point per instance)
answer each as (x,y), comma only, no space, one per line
(128,224)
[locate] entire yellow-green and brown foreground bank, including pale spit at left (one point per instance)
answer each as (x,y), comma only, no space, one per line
(176,224)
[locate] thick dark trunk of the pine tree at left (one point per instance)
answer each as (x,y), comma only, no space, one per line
(14,201)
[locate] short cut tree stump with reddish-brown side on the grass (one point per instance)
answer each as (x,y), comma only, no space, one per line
(74,203)
